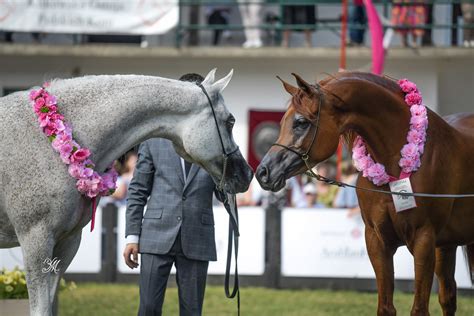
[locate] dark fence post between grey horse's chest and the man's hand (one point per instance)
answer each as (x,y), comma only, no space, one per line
(108,271)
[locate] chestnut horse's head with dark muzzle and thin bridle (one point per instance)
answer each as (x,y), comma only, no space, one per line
(309,130)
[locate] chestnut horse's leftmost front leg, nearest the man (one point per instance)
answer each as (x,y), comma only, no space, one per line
(381,257)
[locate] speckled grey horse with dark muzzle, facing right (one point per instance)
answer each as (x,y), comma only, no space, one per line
(40,207)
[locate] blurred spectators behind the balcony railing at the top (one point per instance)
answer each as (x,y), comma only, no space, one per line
(409,18)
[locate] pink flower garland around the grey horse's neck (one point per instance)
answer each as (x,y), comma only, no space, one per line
(89,182)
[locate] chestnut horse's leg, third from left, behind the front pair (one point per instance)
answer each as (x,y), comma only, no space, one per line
(445,267)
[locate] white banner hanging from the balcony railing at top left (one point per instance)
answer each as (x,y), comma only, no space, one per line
(140,17)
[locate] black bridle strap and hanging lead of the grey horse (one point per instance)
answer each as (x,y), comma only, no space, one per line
(231,208)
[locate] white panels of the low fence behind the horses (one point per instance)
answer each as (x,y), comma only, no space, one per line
(315,243)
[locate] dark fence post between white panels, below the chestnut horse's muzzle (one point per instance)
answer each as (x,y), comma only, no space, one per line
(272,274)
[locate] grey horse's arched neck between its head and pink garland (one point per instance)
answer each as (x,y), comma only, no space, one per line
(111,114)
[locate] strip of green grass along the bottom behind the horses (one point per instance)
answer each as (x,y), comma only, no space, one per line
(122,299)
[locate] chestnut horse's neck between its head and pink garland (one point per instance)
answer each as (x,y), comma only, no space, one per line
(382,119)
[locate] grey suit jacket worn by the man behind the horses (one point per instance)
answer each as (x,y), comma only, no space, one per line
(173,203)
